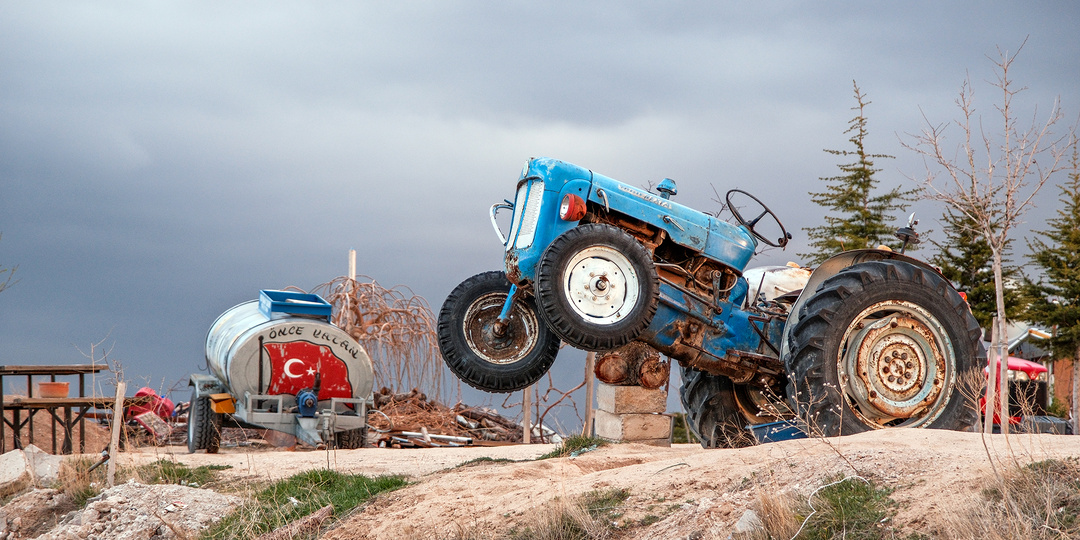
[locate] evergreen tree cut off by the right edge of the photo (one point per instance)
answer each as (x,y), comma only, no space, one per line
(1057,299)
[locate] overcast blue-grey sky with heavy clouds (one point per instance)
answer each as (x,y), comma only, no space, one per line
(161,163)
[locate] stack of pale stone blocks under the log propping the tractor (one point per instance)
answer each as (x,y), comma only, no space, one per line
(632,415)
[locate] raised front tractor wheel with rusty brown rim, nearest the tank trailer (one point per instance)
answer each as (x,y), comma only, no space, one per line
(482,354)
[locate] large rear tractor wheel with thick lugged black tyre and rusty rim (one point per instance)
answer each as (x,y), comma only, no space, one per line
(885,345)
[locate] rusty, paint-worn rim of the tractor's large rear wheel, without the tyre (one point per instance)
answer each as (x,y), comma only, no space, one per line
(894,363)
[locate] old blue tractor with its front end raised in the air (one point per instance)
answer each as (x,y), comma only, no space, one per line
(871,340)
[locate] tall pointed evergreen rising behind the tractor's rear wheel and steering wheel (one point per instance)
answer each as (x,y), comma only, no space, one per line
(860,219)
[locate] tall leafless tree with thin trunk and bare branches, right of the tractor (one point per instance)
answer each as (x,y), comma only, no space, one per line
(991,178)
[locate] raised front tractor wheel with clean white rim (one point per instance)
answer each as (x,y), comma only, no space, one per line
(598,288)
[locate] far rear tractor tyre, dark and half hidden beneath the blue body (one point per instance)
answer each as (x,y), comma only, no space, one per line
(712,411)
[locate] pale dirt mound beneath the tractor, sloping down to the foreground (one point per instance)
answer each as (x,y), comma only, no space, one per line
(691,493)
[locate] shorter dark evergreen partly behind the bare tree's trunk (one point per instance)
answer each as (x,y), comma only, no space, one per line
(966,260)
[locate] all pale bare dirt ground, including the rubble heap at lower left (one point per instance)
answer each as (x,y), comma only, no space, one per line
(683,492)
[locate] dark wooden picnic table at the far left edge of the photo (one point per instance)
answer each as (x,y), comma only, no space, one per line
(32,404)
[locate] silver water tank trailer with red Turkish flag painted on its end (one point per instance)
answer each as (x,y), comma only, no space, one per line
(278,363)
